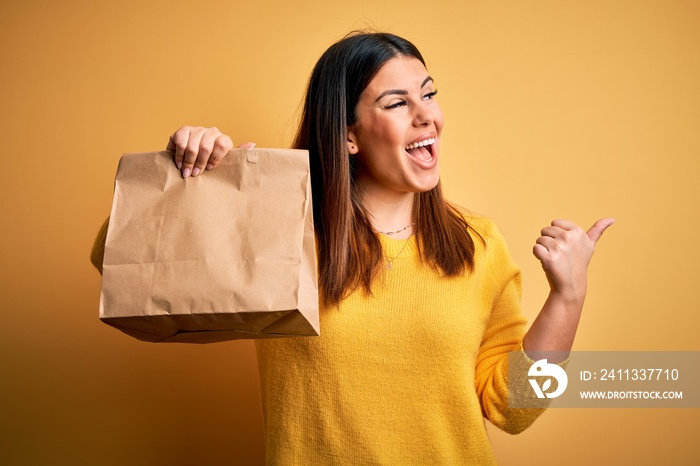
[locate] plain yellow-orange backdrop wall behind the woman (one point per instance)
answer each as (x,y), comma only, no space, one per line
(574,109)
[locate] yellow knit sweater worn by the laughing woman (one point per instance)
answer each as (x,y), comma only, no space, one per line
(404,376)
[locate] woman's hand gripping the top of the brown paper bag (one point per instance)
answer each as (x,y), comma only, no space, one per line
(198,148)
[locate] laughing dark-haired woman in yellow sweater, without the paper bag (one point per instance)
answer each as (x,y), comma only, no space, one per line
(420,301)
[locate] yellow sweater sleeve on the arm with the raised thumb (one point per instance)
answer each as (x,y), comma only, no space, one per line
(504,334)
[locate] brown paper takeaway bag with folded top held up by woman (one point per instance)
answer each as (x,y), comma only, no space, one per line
(228,254)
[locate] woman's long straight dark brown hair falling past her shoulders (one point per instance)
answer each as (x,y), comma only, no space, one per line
(349,250)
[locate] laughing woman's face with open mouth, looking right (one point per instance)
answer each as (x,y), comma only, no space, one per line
(397,132)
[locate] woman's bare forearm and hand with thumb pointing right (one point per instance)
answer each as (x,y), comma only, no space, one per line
(565,250)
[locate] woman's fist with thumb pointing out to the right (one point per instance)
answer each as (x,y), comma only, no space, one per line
(565,250)
